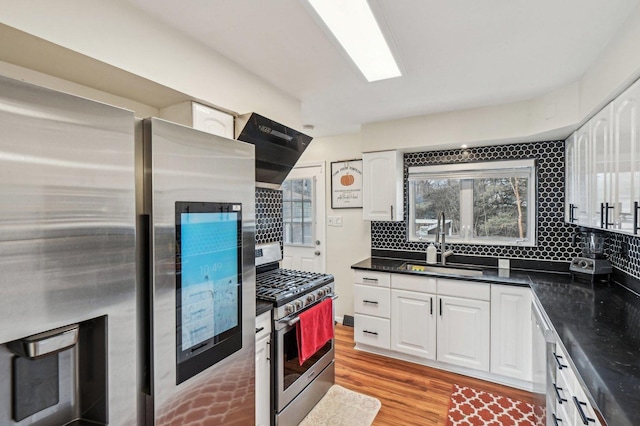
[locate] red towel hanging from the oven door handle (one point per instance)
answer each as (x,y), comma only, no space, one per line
(314,329)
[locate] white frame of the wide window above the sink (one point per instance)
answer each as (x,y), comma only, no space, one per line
(465,172)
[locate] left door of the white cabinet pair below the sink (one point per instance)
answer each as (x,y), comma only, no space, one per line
(413,323)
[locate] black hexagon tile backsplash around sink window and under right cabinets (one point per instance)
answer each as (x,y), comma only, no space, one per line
(554,235)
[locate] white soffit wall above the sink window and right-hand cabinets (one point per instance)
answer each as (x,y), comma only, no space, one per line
(551,116)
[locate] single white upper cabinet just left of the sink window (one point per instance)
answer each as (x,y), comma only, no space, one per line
(382,184)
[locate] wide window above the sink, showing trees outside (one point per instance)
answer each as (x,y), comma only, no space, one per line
(490,203)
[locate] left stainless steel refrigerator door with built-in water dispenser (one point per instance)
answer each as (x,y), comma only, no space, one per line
(67,260)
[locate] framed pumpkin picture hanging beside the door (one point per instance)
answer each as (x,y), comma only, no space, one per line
(346,184)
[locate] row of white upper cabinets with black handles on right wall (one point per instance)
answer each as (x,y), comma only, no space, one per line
(603,167)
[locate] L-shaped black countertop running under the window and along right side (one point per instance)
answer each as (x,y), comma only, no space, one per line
(598,325)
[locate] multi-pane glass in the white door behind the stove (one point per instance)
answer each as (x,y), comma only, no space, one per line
(298,211)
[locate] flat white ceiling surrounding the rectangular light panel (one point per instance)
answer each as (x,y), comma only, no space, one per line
(454,54)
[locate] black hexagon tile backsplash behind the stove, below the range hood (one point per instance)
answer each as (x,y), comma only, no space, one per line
(268,215)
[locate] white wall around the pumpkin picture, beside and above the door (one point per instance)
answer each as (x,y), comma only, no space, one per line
(351,242)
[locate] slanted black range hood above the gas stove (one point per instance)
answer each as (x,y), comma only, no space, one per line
(277,147)
